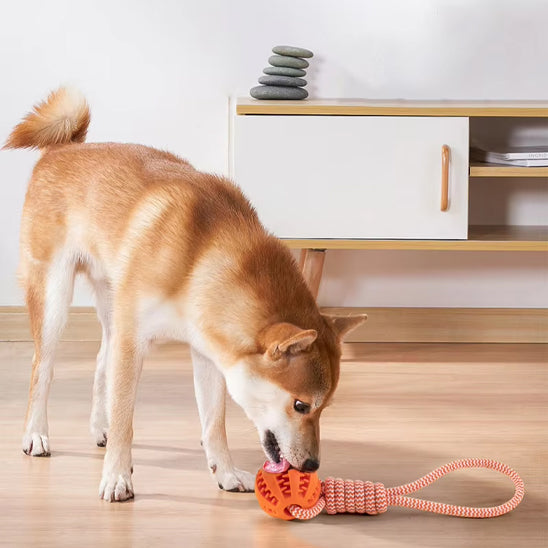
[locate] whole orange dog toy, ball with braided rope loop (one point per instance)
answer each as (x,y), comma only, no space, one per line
(298,495)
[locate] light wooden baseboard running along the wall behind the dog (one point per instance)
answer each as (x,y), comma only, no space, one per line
(415,325)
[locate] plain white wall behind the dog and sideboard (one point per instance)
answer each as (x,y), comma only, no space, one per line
(161,72)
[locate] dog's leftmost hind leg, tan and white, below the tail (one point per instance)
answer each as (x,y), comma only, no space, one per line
(49,290)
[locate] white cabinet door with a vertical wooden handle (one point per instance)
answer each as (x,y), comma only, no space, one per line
(354,176)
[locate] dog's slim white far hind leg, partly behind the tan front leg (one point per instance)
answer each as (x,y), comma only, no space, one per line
(99,418)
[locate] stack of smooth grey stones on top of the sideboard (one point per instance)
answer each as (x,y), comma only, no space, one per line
(283,78)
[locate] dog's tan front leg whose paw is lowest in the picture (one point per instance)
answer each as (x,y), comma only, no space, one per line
(124,368)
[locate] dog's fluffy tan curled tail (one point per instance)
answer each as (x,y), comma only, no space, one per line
(61,119)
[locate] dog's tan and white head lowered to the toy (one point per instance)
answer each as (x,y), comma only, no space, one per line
(284,388)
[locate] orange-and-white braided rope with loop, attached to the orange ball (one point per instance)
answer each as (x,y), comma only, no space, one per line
(364,497)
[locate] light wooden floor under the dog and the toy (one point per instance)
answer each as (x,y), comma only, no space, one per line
(400,411)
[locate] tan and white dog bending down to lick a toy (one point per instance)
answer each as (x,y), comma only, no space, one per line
(170,252)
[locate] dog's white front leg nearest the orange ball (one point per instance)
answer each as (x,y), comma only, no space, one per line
(210,389)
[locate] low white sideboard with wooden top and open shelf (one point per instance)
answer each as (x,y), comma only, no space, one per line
(346,174)
